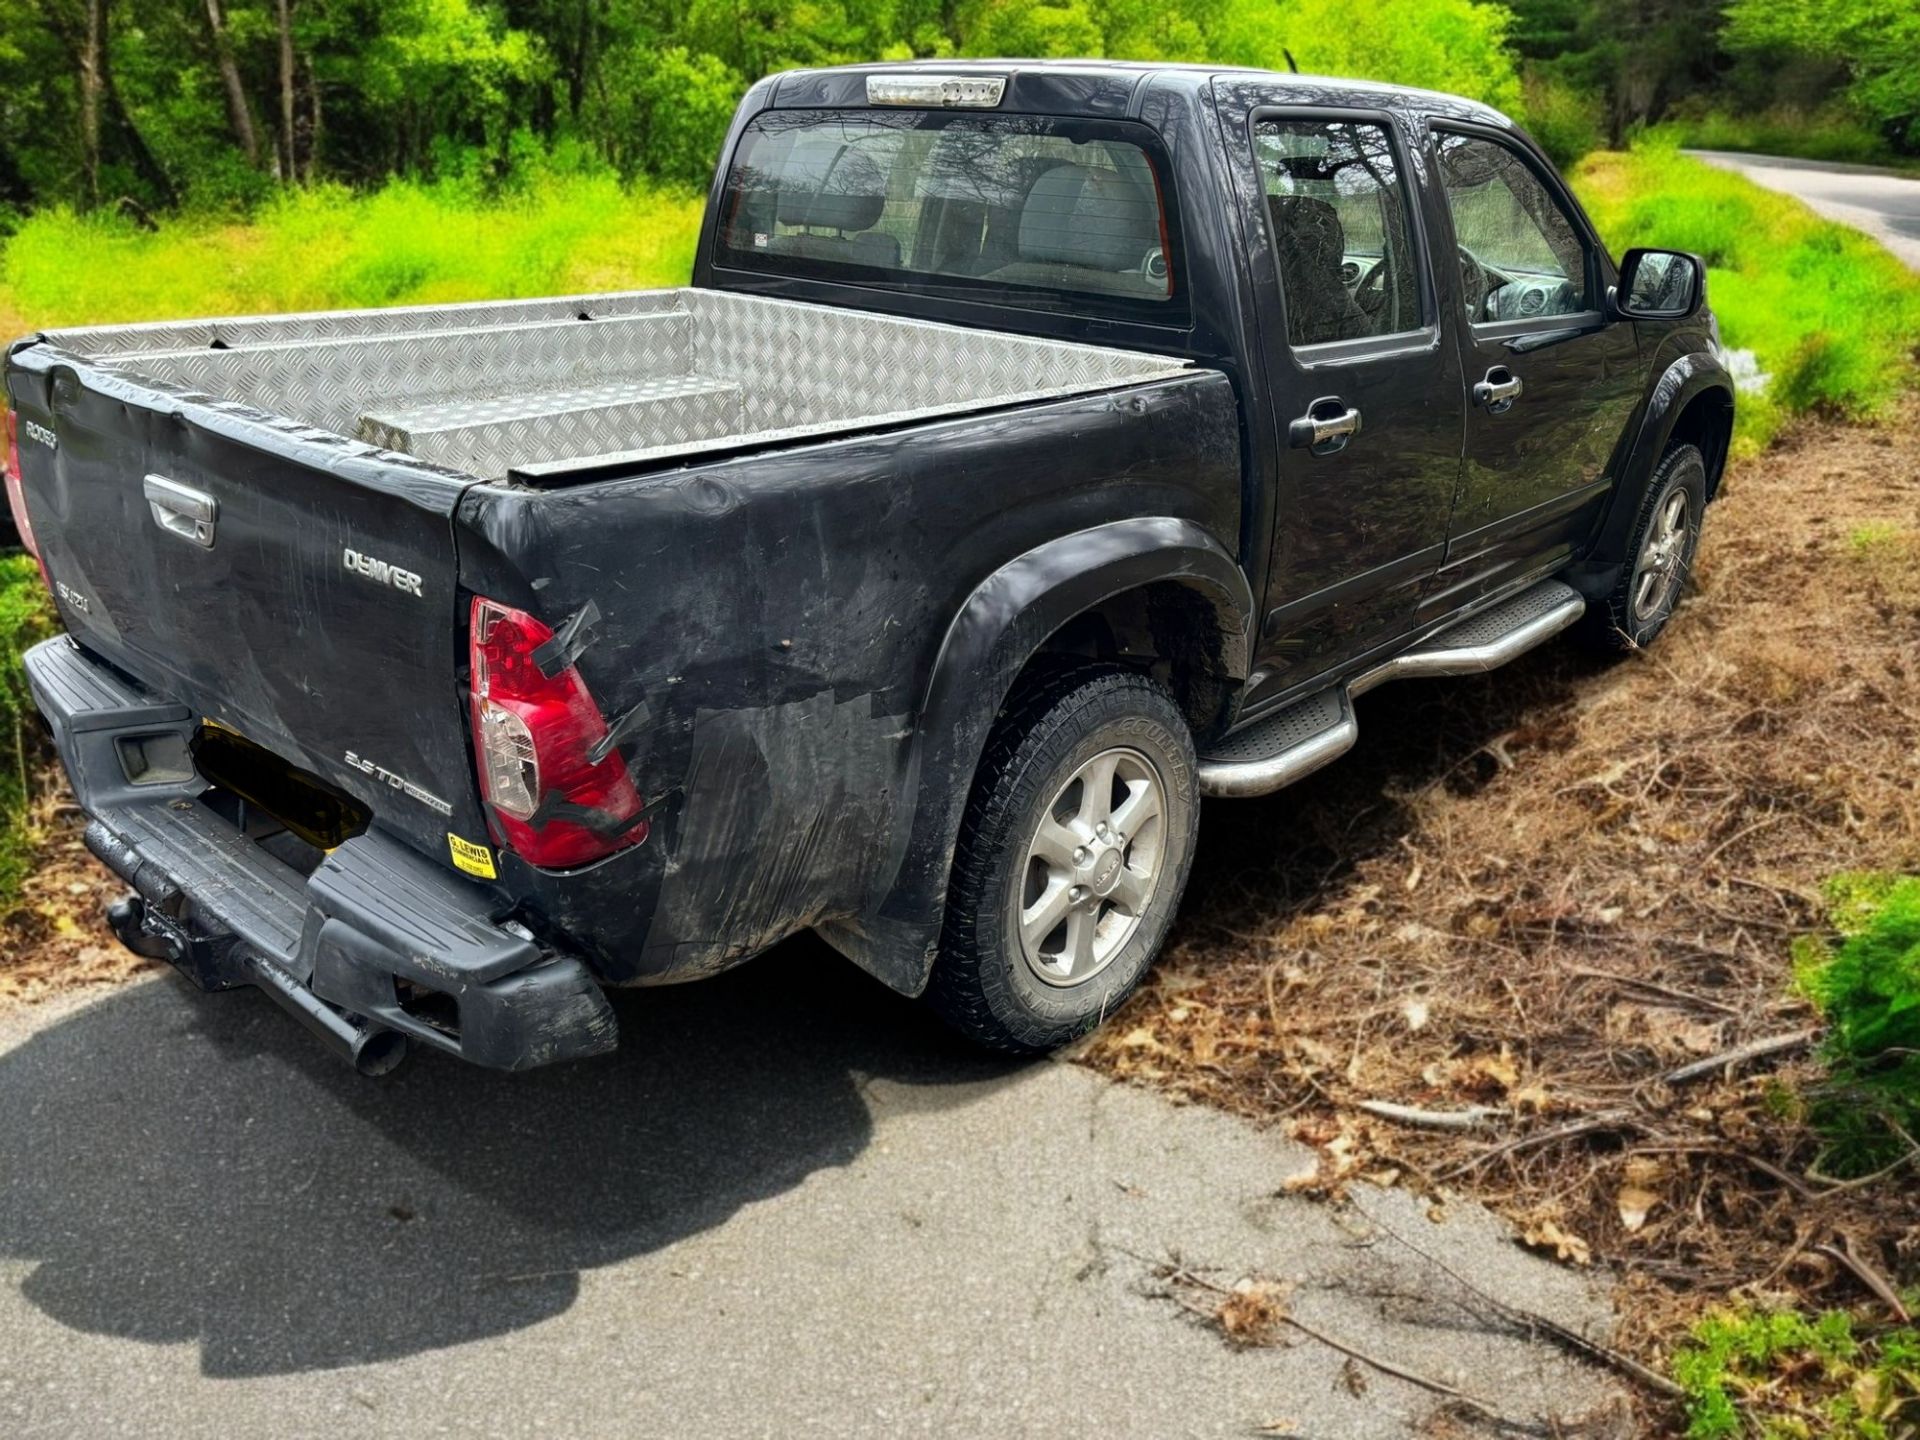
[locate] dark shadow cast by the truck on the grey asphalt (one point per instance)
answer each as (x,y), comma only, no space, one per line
(193,1168)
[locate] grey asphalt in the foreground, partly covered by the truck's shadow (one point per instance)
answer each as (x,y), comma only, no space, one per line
(786,1207)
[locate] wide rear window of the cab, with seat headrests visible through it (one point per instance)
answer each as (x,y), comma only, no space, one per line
(1028,210)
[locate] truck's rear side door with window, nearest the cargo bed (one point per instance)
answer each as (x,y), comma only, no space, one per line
(1364,385)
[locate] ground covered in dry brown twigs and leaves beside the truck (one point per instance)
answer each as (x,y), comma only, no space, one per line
(1491,949)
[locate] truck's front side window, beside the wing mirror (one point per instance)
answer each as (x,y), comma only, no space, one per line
(1520,252)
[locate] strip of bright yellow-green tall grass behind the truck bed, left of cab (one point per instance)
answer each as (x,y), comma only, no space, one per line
(331,249)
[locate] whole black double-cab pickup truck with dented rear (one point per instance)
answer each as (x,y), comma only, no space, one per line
(1038,448)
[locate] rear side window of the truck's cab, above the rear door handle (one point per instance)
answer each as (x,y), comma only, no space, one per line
(1343,235)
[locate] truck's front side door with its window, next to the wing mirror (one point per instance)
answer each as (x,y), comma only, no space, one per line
(1552,381)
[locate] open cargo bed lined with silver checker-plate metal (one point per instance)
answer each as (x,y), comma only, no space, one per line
(550,391)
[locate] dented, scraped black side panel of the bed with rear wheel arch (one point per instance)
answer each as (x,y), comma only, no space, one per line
(821,638)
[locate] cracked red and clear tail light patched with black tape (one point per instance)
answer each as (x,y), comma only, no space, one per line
(535,738)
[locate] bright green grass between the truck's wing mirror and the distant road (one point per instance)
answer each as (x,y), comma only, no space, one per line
(1831,316)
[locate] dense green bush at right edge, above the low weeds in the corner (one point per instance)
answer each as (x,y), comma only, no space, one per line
(1867,986)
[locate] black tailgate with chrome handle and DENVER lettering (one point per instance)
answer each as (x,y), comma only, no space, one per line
(277,579)
